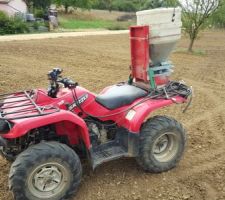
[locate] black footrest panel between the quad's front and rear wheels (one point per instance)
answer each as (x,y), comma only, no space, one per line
(107,152)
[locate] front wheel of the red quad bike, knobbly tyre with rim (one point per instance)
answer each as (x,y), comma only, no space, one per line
(46,171)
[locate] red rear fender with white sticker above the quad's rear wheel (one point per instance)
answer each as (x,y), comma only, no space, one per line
(141,112)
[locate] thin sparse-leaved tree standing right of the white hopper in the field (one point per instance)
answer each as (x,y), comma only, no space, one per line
(195,15)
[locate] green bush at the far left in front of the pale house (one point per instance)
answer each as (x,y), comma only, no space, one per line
(12,25)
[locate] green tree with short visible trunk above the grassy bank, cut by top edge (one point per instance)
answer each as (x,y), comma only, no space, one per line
(74,3)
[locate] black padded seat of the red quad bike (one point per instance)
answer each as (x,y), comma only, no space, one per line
(120,95)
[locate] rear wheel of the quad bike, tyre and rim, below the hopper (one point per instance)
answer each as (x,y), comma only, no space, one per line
(162,143)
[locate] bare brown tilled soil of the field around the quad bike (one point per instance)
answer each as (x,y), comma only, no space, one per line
(98,61)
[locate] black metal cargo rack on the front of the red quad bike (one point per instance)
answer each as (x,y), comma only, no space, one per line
(20,105)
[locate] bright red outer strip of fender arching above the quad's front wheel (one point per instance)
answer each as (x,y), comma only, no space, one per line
(23,126)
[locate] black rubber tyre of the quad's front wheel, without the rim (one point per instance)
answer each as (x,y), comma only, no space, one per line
(36,153)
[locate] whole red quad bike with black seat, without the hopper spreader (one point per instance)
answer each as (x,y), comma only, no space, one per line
(46,132)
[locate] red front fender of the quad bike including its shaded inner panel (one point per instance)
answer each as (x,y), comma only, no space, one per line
(66,123)
